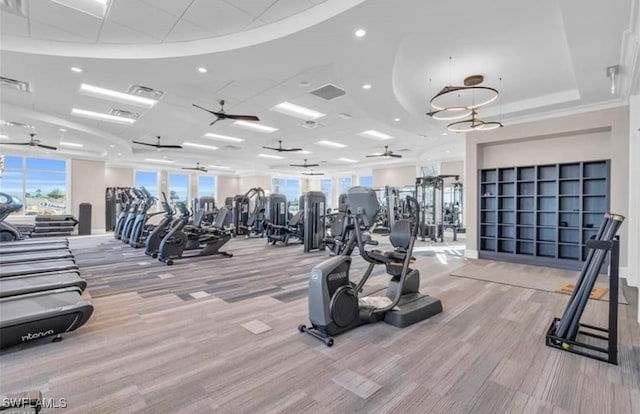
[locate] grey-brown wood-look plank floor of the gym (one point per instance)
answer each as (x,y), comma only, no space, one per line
(170,339)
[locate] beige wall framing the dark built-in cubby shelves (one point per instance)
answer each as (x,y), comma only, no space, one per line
(593,135)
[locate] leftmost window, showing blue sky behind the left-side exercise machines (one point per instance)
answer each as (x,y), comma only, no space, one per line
(41,183)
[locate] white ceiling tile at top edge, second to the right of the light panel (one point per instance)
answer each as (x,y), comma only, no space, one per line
(220,16)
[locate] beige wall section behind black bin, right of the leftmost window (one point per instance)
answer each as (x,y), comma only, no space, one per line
(88,186)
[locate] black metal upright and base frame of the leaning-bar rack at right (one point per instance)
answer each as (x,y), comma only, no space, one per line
(609,334)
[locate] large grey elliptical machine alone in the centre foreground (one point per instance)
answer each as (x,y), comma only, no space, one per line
(334,302)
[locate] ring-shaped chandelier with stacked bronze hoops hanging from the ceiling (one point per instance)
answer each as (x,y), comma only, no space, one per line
(460,104)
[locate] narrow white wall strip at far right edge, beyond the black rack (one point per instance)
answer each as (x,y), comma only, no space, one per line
(633,218)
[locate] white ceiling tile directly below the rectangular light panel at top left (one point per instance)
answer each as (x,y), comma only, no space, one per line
(84,26)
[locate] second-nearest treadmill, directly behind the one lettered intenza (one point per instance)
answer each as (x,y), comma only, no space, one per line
(21,285)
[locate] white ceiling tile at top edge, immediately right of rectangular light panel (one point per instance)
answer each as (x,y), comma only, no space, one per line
(142,18)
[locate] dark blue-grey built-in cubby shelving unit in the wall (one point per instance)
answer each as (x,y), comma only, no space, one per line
(542,214)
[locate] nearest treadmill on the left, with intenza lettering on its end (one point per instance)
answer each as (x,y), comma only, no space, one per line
(24,318)
